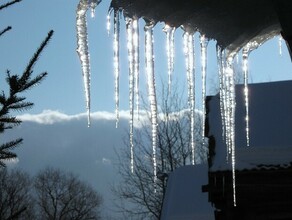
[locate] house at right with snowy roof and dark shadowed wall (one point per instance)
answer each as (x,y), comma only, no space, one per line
(263,174)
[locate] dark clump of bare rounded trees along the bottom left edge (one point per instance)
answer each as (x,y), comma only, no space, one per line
(52,194)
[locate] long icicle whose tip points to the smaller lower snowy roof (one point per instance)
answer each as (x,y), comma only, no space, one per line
(190,66)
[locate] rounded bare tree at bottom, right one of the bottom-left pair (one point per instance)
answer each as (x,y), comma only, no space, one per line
(63,196)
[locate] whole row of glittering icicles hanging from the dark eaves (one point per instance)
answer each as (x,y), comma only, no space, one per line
(226,77)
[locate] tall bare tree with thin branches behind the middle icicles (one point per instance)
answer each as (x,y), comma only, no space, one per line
(135,192)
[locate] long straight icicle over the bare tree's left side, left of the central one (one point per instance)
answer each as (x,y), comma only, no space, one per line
(130,46)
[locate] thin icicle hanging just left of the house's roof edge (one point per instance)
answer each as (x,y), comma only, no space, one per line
(204,44)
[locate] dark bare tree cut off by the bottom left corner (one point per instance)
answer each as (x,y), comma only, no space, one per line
(16,201)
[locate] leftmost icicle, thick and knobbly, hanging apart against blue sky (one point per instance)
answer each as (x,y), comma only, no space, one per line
(82,46)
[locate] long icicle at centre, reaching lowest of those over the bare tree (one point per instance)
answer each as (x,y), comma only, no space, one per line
(151,90)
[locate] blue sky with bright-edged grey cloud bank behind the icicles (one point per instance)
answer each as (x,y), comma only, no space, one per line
(58,115)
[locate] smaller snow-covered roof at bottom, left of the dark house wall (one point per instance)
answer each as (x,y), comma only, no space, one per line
(184,198)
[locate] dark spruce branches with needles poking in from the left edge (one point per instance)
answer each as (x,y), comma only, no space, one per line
(12,99)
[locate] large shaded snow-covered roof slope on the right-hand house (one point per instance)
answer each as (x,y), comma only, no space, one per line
(270,128)
